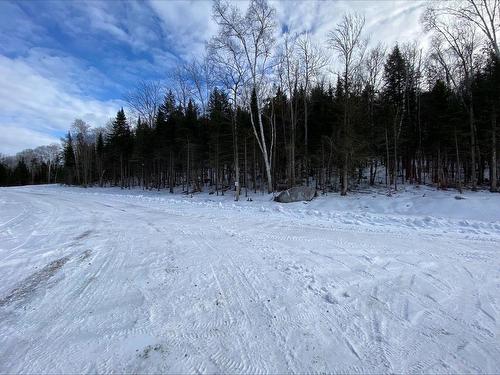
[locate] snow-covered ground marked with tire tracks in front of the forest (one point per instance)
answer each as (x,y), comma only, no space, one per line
(110,280)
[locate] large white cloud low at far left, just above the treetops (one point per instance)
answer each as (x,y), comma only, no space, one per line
(39,105)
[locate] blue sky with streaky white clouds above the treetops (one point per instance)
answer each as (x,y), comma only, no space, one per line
(61,60)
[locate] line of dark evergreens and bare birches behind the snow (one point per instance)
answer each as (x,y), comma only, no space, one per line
(264,112)
